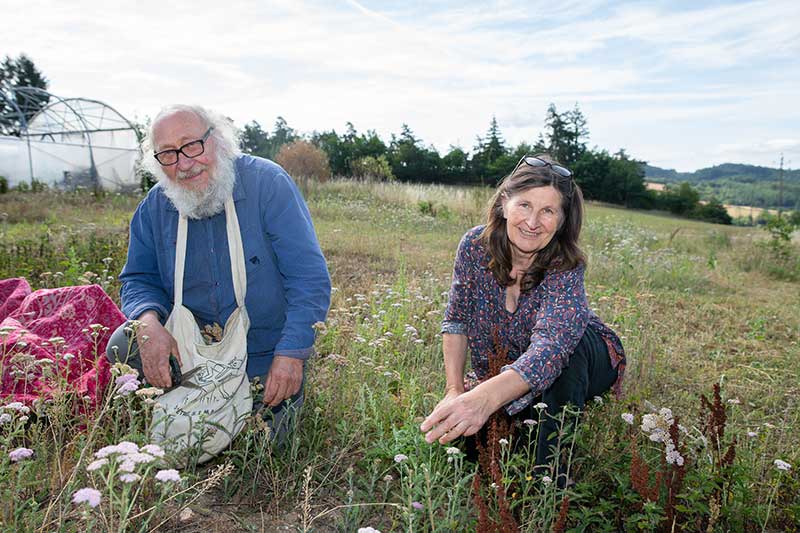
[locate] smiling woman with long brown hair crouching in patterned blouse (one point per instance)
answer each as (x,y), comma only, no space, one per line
(518,282)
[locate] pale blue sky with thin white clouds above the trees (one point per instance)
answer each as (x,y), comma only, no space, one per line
(679,84)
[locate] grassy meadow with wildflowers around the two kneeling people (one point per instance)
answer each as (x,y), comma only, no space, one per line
(708,315)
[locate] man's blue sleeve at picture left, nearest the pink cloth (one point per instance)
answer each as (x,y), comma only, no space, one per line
(142,288)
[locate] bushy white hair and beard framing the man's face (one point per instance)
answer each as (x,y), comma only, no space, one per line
(206,203)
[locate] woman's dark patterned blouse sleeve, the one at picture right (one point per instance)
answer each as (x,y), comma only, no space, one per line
(560,323)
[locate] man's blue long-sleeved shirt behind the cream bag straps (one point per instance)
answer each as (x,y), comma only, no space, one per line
(288,286)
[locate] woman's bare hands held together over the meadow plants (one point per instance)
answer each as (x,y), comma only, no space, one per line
(459,415)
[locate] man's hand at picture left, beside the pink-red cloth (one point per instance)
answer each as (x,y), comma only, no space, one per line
(155,346)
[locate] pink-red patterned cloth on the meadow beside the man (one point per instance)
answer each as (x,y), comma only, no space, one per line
(54,340)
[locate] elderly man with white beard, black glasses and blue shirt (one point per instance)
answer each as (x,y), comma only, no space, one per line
(195,156)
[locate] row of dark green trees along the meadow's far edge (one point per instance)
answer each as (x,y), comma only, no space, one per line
(613,178)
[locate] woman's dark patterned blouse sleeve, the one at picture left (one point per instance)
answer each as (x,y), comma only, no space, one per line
(459,305)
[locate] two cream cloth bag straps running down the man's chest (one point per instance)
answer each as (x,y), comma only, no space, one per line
(235,251)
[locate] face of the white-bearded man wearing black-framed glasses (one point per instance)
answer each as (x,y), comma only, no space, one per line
(174,131)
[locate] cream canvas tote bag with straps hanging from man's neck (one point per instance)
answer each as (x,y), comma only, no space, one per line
(211,408)
